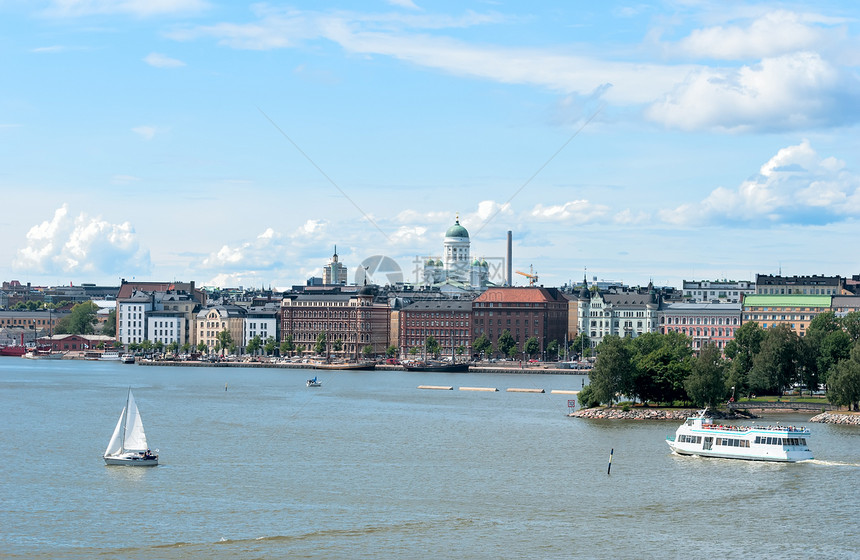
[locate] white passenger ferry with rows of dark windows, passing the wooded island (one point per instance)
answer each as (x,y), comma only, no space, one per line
(700,436)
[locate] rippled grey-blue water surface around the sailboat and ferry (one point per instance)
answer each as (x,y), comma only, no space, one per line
(370,466)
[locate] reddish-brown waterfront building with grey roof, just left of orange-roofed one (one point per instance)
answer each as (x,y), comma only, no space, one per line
(447,321)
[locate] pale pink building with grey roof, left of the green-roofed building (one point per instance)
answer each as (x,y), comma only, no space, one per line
(701,322)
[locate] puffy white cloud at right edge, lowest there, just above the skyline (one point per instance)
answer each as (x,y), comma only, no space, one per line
(795,186)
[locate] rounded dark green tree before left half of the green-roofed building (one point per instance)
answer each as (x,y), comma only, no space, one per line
(776,364)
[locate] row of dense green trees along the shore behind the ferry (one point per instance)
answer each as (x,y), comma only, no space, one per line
(662,368)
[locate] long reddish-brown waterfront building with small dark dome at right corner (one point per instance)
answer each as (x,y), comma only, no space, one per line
(350,321)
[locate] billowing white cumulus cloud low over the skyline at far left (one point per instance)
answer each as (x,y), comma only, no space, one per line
(81,245)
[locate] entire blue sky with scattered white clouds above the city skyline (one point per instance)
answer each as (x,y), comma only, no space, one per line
(236,143)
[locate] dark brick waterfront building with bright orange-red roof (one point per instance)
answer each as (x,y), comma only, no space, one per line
(523,311)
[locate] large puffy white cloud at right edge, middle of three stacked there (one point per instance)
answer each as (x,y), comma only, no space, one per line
(799,90)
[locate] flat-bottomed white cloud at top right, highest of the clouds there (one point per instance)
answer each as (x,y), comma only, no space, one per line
(771,34)
